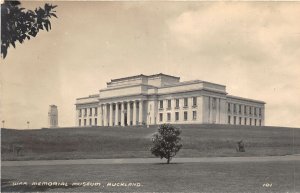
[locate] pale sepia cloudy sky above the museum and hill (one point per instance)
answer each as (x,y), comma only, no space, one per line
(251,47)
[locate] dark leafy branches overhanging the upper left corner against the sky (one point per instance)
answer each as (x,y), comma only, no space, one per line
(17,24)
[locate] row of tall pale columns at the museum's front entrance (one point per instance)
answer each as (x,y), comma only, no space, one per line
(122,113)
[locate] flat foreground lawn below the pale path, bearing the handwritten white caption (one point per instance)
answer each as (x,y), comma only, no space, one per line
(183,177)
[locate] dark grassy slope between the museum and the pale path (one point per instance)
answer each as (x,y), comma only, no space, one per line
(127,142)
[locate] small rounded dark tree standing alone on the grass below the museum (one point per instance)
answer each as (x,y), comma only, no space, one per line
(166,142)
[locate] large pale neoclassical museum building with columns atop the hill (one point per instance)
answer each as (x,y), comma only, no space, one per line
(161,98)
